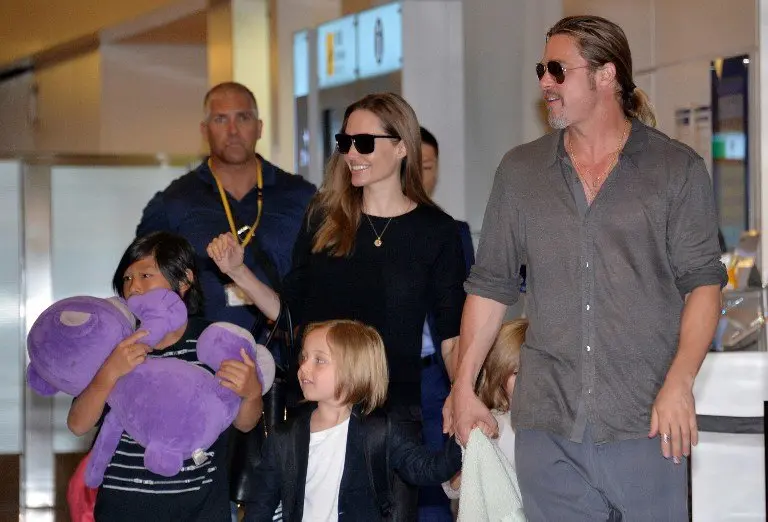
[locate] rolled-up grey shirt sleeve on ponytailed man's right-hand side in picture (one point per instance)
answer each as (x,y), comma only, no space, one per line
(692,243)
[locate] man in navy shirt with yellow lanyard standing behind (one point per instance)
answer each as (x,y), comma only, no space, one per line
(237,190)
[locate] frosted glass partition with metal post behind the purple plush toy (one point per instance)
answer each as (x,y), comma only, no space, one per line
(64,224)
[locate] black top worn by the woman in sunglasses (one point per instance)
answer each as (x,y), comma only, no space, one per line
(418,268)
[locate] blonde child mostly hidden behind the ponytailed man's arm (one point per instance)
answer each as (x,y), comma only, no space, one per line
(495,386)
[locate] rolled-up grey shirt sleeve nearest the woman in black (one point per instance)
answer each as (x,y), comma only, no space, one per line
(495,274)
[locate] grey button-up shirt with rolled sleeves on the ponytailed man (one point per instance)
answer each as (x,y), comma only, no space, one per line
(605,282)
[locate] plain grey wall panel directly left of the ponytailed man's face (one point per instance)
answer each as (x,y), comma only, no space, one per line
(502,42)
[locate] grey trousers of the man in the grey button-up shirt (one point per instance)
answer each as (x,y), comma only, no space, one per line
(628,481)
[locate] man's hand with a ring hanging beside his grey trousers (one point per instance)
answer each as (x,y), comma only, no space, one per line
(673,416)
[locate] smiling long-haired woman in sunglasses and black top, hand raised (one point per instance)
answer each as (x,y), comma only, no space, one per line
(374,248)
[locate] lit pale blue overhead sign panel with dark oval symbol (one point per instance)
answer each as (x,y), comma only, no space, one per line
(380,40)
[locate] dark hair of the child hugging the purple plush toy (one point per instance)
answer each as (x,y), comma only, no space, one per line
(174,256)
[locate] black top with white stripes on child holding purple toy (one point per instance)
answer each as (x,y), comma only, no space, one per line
(130,492)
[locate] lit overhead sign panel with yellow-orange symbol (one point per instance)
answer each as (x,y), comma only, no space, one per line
(337,52)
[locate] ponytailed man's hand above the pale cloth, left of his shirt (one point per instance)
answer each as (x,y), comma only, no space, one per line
(463,411)
